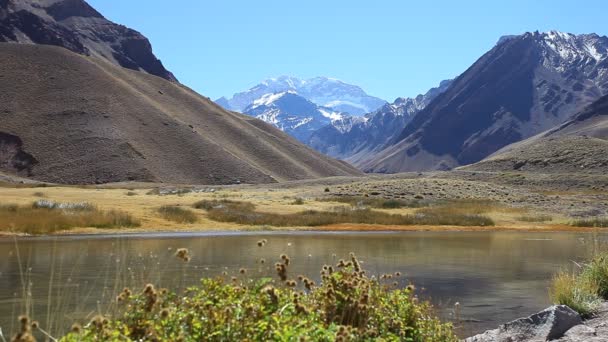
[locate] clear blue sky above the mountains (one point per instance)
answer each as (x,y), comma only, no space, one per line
(390,48)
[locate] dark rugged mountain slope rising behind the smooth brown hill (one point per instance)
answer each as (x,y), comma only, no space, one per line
(75,25)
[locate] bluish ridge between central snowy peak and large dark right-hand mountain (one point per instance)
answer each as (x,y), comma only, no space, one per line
(362,138)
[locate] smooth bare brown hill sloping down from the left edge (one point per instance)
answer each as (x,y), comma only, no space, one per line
(72,119)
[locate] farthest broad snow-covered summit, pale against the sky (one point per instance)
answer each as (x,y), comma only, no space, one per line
(323,91)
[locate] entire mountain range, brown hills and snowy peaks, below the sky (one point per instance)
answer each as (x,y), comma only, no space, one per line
(107,110)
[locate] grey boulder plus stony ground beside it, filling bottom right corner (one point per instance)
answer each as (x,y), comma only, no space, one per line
(556,323)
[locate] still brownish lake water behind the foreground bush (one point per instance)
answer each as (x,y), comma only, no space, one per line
(495,276)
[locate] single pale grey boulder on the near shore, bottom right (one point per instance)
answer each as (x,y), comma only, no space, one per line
(548,324)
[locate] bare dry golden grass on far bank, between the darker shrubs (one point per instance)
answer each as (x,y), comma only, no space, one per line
(144,207)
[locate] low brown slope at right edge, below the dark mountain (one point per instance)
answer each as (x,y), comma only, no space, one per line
(579,145)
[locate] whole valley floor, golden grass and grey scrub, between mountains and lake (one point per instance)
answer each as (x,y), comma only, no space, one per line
(511,201)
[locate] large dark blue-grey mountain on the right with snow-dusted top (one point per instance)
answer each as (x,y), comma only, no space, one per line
(525,85)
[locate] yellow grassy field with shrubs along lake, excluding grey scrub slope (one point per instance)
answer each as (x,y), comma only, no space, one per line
(308,206)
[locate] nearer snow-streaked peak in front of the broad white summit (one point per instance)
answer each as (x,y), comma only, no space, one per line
(294,114)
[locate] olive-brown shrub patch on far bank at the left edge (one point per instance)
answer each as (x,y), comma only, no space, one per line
(43,217)
